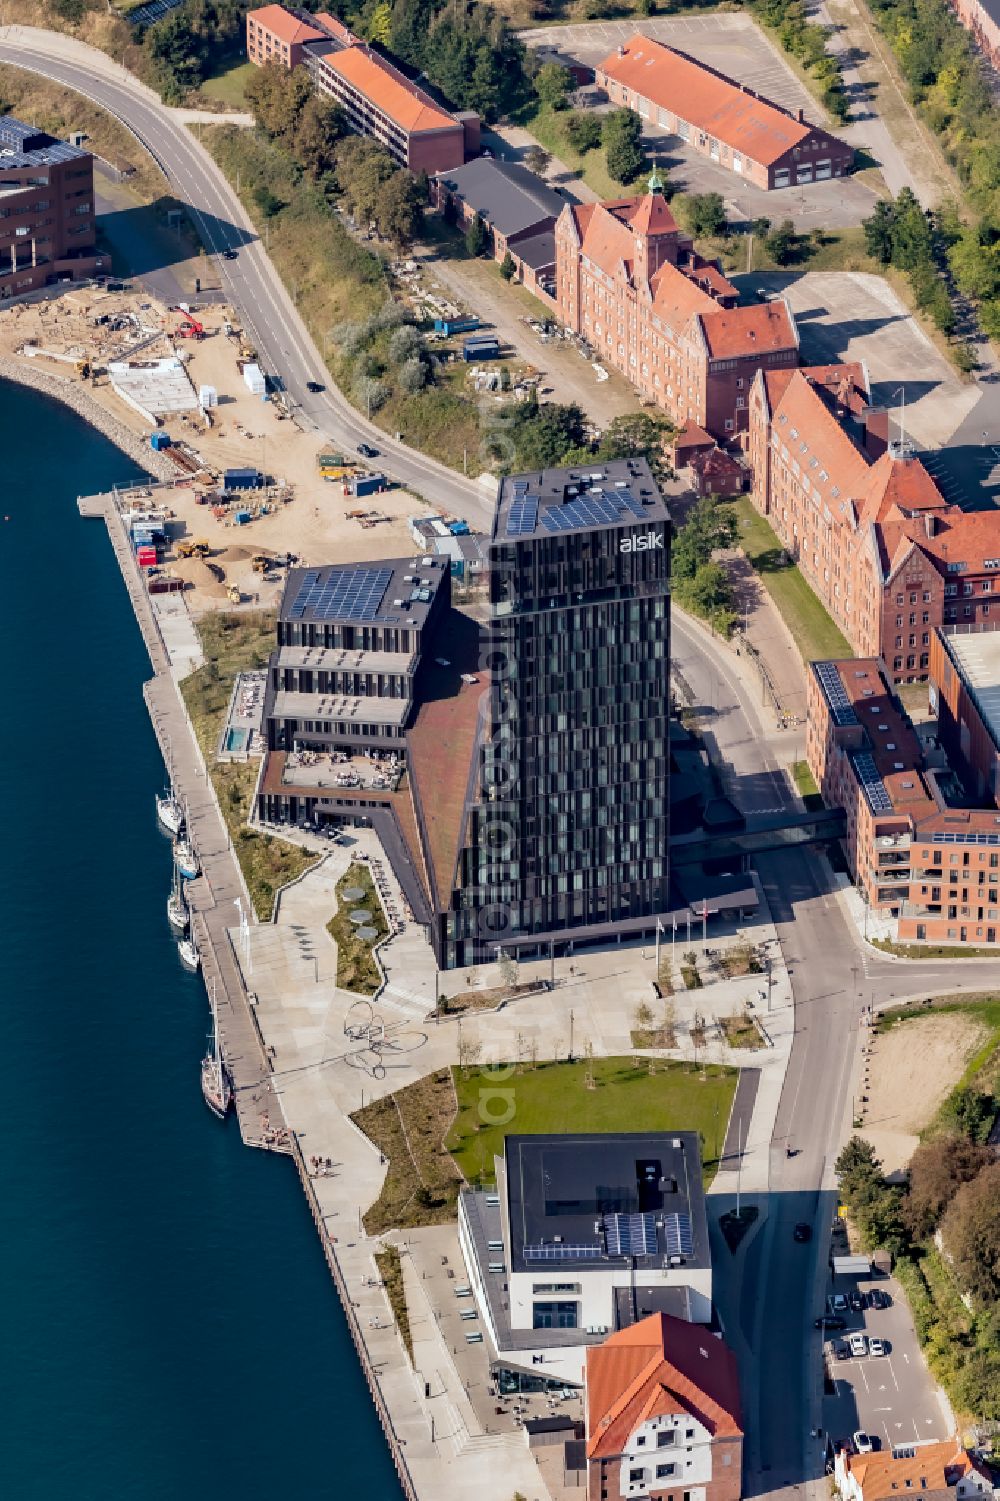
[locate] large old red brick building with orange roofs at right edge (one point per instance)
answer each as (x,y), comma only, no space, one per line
(866,523)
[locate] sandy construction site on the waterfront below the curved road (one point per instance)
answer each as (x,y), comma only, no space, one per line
(79,335)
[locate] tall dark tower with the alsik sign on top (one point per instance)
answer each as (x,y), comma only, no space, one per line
(568,814)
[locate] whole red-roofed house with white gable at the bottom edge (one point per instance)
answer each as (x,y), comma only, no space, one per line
(663,1415)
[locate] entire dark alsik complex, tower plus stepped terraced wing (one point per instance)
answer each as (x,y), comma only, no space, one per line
(517,766)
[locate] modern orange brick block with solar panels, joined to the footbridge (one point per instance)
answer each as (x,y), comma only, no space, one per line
(917,858)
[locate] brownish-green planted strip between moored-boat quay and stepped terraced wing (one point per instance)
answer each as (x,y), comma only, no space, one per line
(233,643)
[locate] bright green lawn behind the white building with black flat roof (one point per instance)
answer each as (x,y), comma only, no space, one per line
(555,1098)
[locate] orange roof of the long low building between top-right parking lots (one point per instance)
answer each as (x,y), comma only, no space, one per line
(714,104)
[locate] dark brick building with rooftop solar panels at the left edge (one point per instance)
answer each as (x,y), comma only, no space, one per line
(47,211)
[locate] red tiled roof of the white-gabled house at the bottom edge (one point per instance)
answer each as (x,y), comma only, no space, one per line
(657,1367)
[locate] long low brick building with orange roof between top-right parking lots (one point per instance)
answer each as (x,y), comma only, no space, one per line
(721,119)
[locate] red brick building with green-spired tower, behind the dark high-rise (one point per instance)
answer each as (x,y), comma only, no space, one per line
(631,284)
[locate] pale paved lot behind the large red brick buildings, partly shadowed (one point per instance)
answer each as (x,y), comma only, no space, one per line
(852,316)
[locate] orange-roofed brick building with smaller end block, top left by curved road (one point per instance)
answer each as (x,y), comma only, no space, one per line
(378,100)
